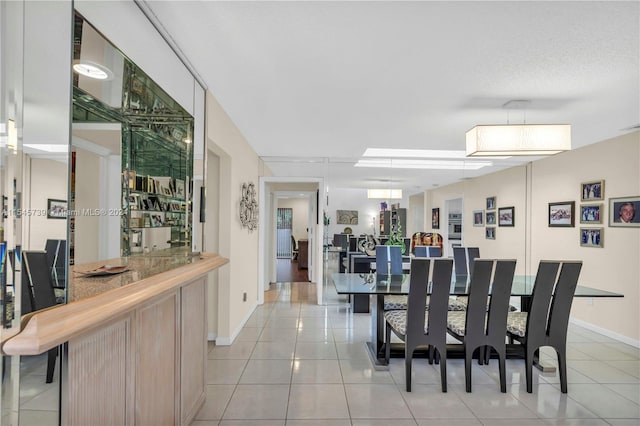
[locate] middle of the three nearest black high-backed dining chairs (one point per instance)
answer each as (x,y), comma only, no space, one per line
(479,327)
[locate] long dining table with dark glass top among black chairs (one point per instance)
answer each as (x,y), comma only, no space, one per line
(377,286)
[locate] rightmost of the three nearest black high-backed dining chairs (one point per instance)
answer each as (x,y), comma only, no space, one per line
(547,322)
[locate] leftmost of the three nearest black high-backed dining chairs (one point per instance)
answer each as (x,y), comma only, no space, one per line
(420,326)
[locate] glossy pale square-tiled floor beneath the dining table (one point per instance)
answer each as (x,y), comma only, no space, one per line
(296,363)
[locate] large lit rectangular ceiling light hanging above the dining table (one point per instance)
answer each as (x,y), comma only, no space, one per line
(523,139)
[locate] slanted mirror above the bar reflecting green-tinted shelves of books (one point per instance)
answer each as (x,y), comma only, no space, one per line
(132,157)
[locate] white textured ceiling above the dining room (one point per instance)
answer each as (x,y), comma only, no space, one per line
(311,85)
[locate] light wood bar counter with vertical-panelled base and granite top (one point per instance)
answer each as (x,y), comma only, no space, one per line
(136,342)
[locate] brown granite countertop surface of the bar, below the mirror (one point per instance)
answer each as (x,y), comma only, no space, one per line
(138,267)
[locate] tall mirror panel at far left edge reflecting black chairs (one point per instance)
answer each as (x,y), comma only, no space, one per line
(33,178)
